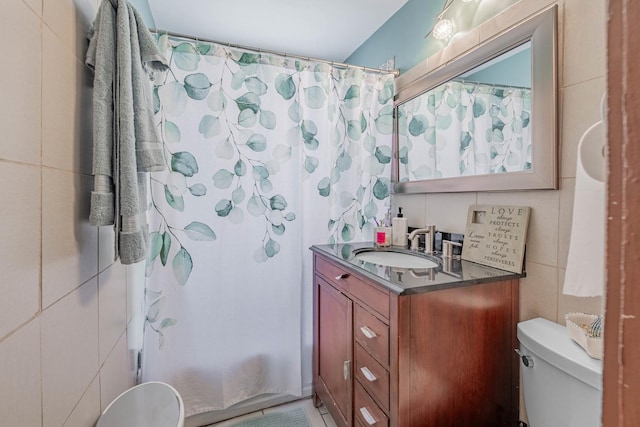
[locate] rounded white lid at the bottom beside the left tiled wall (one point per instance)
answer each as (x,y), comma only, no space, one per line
(151,404)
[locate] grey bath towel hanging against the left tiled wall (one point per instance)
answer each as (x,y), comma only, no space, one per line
(125,141)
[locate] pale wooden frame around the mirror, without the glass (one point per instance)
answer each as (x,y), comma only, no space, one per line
(541,29)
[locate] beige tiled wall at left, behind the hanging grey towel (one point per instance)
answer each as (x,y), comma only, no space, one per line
(54,318)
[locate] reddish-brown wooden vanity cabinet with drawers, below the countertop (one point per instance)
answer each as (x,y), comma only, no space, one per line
(442,358)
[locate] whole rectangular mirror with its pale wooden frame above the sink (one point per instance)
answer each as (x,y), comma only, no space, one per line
(485,121)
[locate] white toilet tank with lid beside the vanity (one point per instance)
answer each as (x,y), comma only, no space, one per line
(563,387)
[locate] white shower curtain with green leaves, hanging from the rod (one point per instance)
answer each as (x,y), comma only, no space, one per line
(266,156)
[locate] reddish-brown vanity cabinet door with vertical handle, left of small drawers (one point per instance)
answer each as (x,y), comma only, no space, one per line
(335,351)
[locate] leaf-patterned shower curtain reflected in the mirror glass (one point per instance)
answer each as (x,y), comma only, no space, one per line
(478,128)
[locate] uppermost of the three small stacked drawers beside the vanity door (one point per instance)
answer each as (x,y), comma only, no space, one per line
(372,334)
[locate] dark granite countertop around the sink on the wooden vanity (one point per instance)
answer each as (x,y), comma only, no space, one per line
(448,273)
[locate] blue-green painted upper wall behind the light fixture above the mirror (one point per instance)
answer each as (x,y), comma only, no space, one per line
(403,35)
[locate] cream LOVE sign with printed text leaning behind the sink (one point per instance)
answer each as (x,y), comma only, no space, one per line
(496,236)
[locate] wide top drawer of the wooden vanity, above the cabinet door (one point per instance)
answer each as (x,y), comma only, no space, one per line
(373,296)
